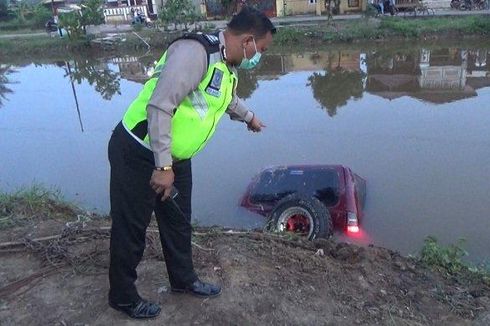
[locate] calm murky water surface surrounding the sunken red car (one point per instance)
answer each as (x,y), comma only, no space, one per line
(413,123)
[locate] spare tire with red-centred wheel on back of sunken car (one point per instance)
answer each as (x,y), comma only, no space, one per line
(301,214)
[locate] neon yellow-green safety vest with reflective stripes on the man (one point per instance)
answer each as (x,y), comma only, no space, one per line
(196,117)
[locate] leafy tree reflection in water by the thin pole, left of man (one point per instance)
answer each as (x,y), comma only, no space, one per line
(106,81)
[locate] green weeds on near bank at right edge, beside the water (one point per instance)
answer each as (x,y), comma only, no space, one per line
(449,260)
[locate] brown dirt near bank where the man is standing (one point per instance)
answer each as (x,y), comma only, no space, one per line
(55,260)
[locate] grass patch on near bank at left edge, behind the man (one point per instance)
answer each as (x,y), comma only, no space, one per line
(35,203)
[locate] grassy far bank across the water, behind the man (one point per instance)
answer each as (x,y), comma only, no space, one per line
(295,33)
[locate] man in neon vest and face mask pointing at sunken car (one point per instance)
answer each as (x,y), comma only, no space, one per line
(150,152)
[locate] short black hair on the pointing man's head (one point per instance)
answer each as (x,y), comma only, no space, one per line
(251,20)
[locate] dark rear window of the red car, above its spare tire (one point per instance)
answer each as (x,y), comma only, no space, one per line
(278,183)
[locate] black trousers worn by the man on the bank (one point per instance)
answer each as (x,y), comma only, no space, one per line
(132,203)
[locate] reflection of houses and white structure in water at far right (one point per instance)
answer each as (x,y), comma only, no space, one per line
(436,76)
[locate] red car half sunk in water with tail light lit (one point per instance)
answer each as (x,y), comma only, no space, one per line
(308,199)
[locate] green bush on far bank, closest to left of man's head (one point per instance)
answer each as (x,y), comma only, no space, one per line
(178,12)
